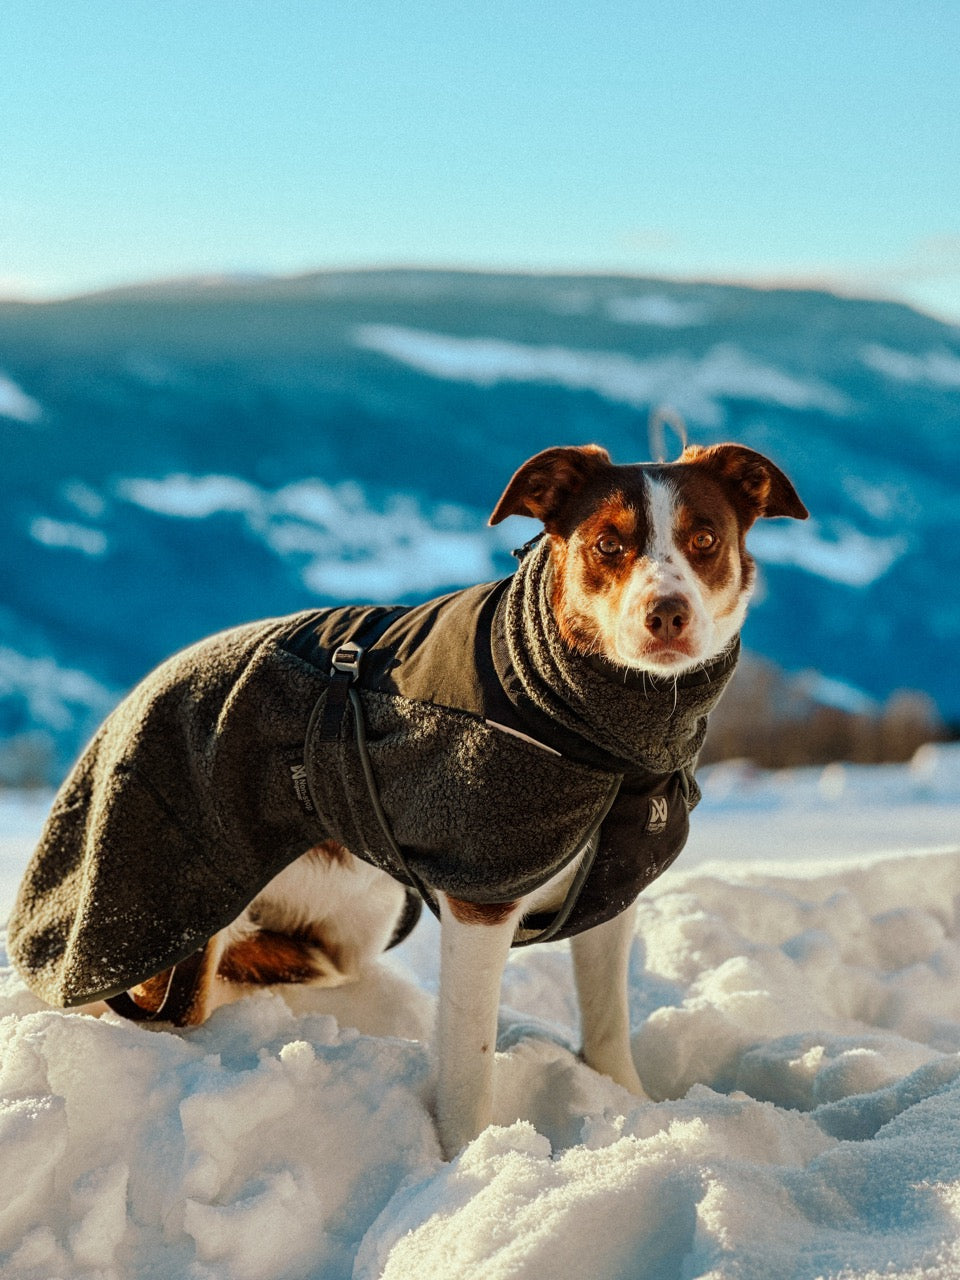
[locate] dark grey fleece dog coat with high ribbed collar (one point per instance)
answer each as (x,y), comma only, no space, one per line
(496,756)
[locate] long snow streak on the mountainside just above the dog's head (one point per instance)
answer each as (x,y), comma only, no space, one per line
(696,387)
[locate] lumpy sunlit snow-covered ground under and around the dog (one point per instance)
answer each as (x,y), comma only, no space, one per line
(796,998)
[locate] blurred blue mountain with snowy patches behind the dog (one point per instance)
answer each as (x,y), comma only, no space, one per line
(184,458)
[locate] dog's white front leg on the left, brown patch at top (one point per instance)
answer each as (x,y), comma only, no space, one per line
(474,947)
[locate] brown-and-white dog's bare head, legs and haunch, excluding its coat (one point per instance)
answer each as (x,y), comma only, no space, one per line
(651,573)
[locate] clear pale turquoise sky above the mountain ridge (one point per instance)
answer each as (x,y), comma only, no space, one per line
(811,144)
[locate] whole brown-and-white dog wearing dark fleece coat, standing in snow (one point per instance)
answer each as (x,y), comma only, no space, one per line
(518,756)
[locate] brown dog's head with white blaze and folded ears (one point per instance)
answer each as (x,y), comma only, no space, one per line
(650,564)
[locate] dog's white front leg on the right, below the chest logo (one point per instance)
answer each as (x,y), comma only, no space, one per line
(601,962)
